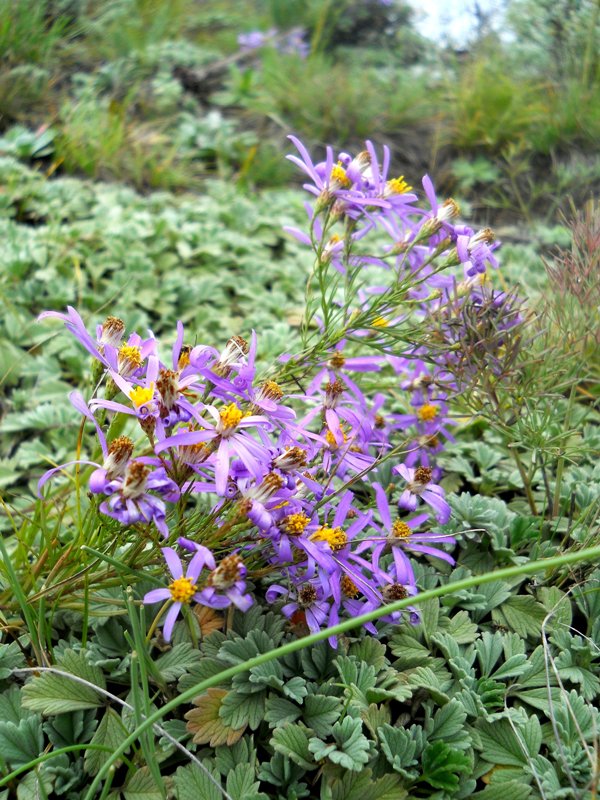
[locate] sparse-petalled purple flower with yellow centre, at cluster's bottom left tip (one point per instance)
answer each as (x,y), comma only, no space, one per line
(183,589)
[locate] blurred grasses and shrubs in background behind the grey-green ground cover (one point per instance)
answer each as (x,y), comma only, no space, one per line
(160,94)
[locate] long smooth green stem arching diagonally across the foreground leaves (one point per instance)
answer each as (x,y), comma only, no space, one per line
(508,573)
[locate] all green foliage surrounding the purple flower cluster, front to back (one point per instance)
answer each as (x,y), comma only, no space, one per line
(494,693)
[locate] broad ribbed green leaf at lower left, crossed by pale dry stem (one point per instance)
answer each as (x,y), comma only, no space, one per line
(49,693)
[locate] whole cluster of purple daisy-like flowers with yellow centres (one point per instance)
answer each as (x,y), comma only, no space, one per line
(325,486)
